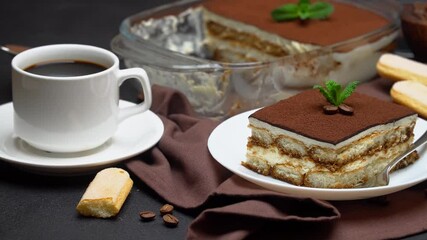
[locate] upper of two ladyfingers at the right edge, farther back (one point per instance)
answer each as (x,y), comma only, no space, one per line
(398,68)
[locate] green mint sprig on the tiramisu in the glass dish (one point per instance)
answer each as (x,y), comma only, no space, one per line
(303,10)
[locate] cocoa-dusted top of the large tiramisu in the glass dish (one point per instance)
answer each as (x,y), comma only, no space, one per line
(346,22)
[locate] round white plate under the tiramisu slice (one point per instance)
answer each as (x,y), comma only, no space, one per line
(227,144)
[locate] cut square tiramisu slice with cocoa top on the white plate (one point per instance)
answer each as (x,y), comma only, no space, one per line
(295,141)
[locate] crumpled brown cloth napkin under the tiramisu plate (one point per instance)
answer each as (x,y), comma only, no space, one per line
(181,170)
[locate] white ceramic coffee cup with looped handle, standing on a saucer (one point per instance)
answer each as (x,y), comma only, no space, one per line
(71,114)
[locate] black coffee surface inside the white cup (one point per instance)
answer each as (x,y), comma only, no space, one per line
(71,68)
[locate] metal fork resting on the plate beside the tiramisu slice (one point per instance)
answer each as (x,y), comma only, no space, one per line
(383,178)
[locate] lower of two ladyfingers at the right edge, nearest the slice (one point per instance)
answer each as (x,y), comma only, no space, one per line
(411,94)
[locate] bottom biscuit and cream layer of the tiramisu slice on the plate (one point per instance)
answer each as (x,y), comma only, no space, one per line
(304,171)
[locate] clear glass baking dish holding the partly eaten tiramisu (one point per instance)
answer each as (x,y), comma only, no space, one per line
(220,89)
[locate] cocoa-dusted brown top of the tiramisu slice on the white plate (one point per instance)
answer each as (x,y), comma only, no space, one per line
(303,114)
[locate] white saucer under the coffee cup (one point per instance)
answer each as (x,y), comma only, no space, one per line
(133,136)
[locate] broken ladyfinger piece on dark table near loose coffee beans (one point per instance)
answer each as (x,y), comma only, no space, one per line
(106,194)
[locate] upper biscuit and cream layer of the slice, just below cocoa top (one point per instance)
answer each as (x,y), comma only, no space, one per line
(368,141)
